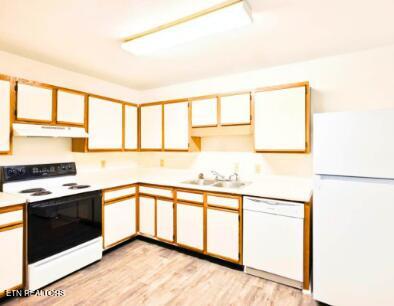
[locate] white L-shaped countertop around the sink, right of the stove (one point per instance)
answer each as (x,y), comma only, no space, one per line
(271,186)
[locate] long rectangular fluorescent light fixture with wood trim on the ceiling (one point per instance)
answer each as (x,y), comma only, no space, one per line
(220,18)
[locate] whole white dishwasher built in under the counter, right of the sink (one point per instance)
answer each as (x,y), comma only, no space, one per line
(273,240)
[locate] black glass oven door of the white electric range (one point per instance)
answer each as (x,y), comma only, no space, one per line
(57,225)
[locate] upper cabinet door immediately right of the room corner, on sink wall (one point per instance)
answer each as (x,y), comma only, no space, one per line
(151,127)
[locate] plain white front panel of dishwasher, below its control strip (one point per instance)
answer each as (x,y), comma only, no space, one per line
(274,244)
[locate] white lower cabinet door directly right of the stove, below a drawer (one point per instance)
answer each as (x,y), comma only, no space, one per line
(119,221)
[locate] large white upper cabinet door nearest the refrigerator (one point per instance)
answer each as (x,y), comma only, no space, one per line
(280,120)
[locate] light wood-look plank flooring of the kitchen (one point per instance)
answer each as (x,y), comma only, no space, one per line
(142,273)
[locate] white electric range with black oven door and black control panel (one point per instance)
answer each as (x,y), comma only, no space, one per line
(64,222)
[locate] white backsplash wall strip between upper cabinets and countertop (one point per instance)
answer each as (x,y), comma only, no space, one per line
(235,154)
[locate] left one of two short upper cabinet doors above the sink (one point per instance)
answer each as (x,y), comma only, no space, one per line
(205,112)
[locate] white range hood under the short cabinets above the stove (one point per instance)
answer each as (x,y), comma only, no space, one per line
(36,130)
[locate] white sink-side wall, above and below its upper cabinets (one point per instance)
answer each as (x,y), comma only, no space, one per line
(356,81)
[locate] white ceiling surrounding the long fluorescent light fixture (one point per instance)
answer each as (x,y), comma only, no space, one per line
(85,36)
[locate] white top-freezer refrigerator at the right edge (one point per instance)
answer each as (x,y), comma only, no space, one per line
(353,208)
